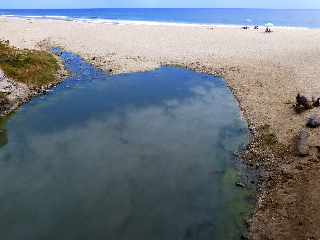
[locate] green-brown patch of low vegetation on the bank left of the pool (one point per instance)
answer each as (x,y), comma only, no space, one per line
(32,67)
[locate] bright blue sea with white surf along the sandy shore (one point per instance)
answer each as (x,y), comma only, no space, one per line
(284,18)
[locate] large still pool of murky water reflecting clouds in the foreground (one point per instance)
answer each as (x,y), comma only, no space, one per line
(134,156)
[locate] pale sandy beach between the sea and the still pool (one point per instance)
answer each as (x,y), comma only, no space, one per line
(264,71)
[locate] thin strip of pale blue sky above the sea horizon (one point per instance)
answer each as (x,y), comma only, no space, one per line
(292,4)
